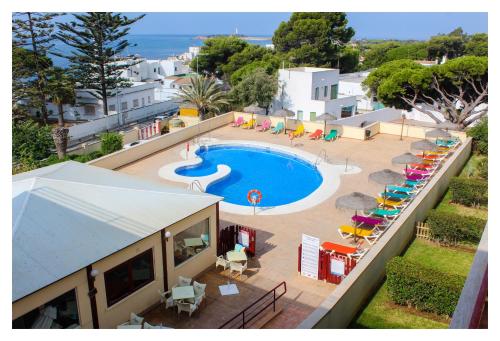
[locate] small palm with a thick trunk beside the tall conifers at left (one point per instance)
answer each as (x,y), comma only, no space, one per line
(61,90)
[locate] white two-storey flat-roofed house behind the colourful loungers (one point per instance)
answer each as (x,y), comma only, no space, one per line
(310,92)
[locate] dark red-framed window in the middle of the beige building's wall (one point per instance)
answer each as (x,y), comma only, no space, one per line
(129,277)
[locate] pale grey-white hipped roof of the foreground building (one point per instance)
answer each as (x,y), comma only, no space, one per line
(70,215)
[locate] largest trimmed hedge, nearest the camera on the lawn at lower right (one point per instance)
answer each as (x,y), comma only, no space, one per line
(421,287)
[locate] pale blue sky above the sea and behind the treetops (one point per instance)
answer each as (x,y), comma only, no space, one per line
(367,25)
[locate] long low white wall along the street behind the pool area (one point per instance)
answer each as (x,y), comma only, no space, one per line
(80,131)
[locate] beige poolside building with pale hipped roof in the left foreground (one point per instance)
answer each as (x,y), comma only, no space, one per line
(90,245)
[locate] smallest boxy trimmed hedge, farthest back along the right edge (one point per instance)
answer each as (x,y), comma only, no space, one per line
(469,192)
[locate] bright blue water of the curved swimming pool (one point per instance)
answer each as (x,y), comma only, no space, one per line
(281,178)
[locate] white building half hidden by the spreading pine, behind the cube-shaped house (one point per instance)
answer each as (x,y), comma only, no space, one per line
(350,84)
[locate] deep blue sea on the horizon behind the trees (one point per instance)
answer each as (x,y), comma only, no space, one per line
(152,46)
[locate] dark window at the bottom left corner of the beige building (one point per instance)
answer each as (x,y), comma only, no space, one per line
(61,312)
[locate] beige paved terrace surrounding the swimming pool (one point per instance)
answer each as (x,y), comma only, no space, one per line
(278,236)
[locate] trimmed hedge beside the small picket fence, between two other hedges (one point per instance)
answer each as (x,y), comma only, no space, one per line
(454,228)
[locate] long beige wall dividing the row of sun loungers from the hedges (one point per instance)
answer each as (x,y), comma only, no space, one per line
(338,309)
